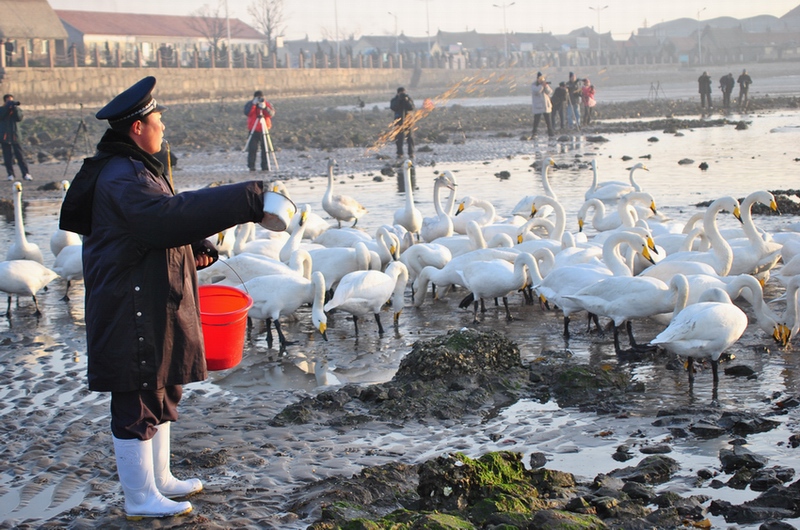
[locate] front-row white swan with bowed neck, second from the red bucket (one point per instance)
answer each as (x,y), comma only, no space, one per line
(365,292)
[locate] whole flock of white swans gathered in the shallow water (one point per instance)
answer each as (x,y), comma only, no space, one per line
(639,265)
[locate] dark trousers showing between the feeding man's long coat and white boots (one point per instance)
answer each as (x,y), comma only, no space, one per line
(135,415)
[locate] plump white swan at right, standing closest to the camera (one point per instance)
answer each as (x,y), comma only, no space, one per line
(704,330)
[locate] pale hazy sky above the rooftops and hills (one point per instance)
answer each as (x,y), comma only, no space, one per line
(320,18)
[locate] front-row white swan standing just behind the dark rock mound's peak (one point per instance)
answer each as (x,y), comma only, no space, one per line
(494,279)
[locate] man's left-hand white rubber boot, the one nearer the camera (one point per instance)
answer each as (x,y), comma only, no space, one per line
(135,470)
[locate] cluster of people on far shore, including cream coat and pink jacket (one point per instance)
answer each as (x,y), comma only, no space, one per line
(573,99)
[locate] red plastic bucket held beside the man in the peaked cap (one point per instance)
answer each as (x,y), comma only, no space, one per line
(223,314)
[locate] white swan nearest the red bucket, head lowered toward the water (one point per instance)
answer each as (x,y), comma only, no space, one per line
(281,295)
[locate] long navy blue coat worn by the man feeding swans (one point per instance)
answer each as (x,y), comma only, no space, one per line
(142,313)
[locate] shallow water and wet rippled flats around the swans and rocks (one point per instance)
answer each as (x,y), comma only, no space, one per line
(49,417)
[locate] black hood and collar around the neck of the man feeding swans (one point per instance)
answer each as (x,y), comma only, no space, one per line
(76,210)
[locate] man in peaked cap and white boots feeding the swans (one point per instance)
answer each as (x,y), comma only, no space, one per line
(142,246)
